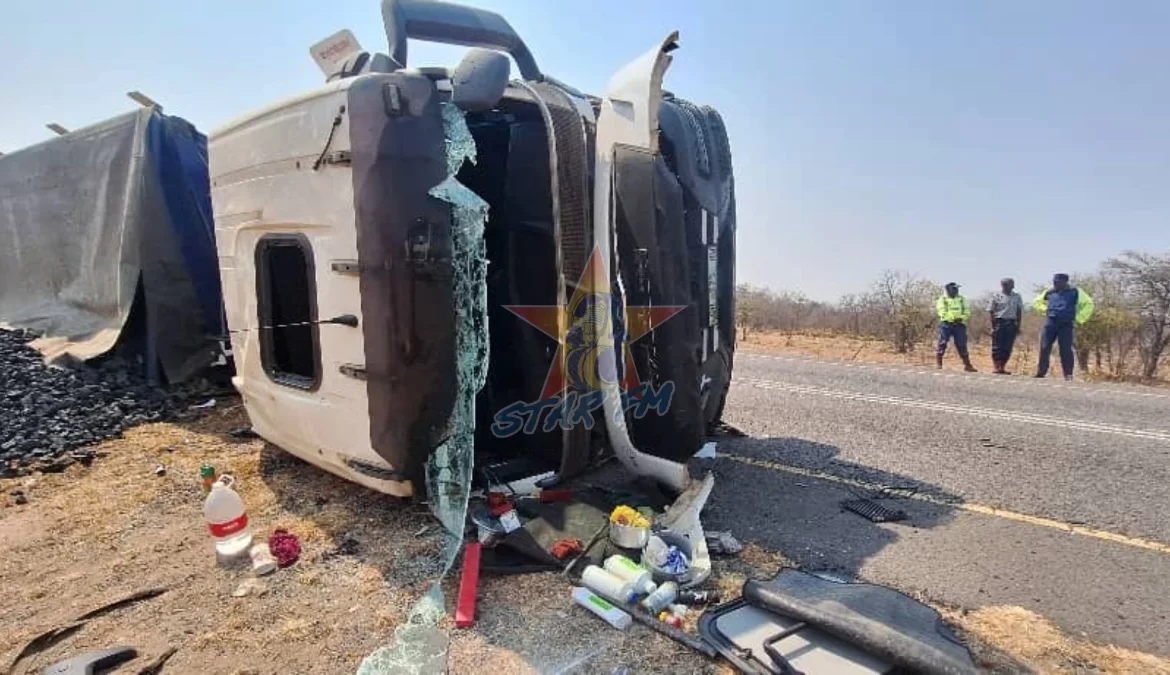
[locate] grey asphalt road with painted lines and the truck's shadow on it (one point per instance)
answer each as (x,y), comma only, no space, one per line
(1043,494)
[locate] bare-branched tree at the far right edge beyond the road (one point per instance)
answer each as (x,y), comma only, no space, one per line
(1147,279)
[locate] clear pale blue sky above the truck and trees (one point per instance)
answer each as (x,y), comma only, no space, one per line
(956,141)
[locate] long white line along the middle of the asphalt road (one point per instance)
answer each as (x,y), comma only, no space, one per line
(992,414)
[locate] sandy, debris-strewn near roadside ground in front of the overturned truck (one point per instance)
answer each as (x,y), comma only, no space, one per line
(92,536)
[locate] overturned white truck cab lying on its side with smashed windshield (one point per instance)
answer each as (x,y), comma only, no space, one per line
(419,261)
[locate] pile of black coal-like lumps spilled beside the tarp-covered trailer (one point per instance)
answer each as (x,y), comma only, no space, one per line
(49,416)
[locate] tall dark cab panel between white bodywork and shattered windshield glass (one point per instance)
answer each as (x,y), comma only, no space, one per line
(405,266)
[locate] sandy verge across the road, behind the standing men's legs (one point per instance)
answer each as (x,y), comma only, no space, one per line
(852,349)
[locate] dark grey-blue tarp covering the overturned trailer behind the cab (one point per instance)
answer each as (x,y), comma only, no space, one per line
(90,218)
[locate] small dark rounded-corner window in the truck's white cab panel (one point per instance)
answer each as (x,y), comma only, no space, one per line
(287,305)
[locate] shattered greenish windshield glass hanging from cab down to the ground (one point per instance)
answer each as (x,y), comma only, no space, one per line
(418,646)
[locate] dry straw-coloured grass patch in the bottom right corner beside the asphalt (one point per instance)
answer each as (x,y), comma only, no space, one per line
(1038,644)
